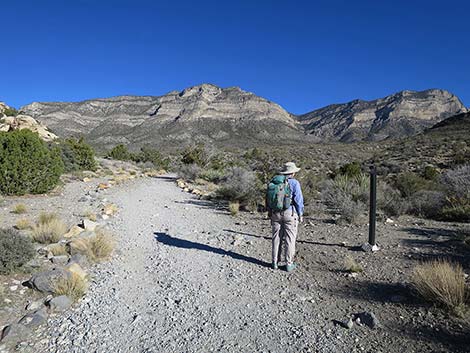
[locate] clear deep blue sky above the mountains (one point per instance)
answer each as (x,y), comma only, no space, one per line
(300,54)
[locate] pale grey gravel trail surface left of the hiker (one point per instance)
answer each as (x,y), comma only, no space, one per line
(184,280)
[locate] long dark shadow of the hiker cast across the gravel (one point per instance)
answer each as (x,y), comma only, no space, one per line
(167,239)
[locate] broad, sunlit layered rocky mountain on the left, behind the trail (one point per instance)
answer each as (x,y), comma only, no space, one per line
(201,113)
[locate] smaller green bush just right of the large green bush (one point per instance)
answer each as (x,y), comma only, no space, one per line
(77,155)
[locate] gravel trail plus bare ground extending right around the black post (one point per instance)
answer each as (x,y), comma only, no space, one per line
(188,277)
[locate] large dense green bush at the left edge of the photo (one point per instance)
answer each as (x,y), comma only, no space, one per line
(27,165)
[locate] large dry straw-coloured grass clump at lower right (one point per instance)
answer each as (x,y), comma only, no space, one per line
(440,282)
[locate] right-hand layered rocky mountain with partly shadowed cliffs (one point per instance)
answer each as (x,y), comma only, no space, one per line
(402,114)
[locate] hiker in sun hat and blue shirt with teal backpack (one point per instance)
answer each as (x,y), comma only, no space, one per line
(285,205)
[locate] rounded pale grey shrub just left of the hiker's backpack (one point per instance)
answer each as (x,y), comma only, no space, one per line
(240,185)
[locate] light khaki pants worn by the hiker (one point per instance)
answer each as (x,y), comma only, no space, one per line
(284,225)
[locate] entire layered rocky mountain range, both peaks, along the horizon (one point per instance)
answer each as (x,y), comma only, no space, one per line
(233,117)
